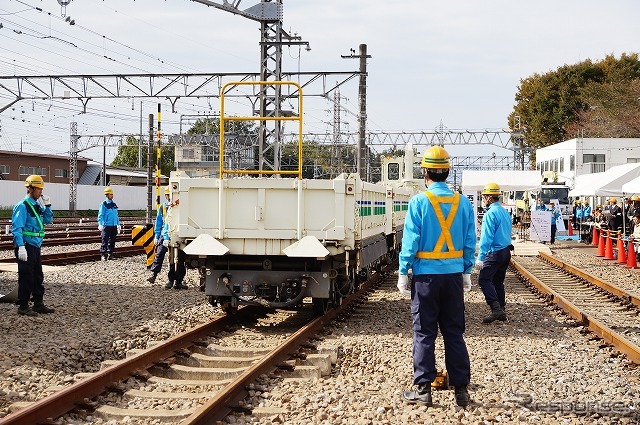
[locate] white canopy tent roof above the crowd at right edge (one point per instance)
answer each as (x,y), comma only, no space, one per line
(608,183)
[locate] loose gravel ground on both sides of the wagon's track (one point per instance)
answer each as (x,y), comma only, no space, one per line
(538,367)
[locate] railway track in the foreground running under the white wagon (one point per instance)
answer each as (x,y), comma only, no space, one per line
(195,366)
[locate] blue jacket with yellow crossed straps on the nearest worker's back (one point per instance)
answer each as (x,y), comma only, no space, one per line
(422,230)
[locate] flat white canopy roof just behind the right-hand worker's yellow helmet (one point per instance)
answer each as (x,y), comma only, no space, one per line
(508,180)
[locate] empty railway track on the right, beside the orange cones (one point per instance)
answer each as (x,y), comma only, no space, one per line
(605,309)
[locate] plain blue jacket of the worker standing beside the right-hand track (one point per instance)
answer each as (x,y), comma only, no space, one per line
(496,230)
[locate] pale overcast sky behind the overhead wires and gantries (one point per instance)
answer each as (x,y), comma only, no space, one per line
(455,64)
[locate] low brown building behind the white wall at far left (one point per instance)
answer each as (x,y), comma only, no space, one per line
(52,168)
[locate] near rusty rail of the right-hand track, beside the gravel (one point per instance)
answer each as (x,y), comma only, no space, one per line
(631,350)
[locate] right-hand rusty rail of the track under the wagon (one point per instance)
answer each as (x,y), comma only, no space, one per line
(221,405)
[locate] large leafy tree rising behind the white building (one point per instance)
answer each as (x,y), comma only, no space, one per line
(593,96)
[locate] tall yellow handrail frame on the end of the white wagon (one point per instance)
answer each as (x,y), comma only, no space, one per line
(223,119)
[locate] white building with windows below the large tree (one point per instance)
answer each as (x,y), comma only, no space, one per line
(580,156)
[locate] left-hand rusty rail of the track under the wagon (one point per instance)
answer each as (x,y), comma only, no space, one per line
(65,400)
